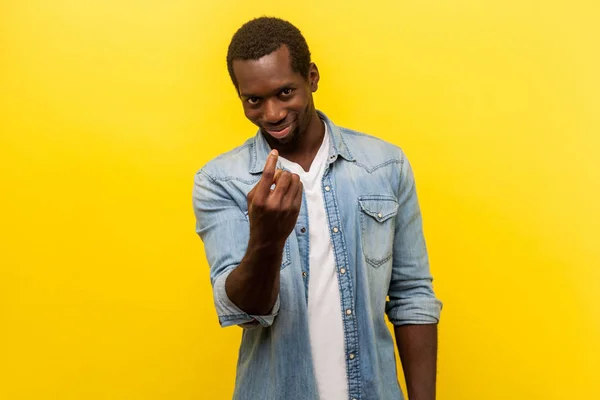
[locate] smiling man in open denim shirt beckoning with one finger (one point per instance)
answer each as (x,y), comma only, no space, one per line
(308,228)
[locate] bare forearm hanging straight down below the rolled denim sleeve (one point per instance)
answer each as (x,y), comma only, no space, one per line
(417,346)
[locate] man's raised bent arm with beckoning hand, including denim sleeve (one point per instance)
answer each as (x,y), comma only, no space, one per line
(245,258)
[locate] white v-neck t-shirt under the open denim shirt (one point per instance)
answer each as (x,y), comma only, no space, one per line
(324,306)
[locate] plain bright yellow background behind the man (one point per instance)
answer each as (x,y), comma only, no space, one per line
(109,107)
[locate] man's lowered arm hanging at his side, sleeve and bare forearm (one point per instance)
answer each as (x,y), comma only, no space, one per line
(413,308)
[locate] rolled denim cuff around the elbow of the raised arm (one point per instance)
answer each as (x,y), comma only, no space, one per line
(230,314)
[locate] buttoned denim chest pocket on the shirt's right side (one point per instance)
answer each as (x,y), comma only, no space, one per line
(377,227)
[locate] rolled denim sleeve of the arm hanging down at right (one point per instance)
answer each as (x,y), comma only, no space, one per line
(411,296)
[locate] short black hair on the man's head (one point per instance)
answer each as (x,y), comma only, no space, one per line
(262,36)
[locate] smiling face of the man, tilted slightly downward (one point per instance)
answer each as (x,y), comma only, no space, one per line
(275,98)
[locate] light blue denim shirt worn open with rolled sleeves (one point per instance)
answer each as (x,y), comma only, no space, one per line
(380,254)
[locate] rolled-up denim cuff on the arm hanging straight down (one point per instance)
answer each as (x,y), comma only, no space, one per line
(414,311)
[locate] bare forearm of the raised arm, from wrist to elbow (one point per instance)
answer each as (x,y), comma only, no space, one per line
(254,285)
